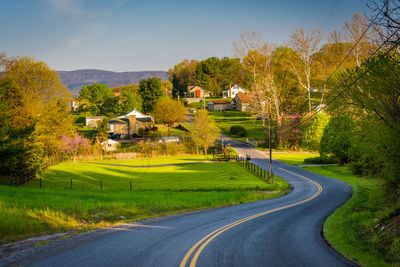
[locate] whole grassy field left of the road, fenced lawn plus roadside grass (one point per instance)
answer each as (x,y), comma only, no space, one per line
(29,210)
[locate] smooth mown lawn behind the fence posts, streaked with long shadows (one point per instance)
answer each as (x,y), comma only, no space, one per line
(211,176)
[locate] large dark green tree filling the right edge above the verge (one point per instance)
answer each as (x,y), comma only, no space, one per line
(373,95)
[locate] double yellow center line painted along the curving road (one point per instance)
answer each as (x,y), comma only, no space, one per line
(201,244)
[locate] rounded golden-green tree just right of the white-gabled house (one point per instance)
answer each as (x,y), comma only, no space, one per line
(169,111)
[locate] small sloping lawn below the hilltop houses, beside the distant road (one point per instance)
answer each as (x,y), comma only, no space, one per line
(226,119)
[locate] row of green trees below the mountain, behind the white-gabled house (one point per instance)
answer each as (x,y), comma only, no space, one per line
(99,99)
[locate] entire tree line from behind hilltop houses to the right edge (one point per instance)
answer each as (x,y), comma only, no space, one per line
(339,96)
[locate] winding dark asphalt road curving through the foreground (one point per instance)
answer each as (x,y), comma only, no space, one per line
(288,236)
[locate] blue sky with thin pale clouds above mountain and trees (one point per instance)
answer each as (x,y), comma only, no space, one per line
(130,35)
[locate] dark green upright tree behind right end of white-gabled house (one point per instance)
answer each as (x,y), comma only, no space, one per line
(150,91)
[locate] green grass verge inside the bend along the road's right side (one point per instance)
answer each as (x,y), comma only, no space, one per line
(350,229)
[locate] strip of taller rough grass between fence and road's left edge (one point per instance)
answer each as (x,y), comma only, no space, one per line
(32,211)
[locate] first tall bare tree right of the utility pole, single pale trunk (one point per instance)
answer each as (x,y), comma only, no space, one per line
(305,44)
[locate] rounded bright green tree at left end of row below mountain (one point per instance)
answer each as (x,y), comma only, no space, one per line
(93,97)
